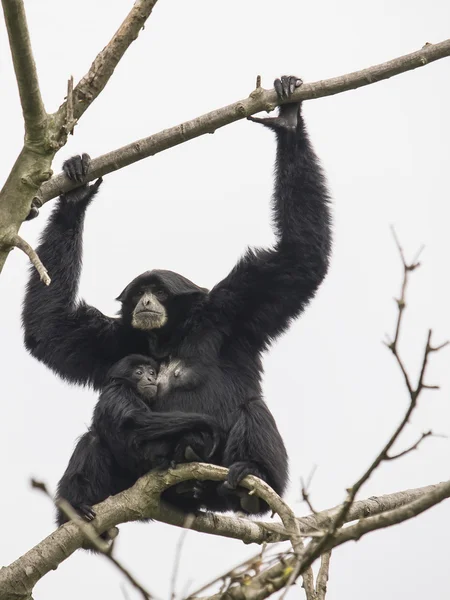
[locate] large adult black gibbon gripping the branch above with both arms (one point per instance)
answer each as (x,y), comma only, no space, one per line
(212,341)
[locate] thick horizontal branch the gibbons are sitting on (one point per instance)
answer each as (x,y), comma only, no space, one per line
(142,501)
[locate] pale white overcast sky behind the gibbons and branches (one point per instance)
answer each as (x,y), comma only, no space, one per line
(334,389)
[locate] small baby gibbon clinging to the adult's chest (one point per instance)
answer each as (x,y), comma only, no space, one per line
(126,438)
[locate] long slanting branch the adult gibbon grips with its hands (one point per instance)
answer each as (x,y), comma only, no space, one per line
(258,100)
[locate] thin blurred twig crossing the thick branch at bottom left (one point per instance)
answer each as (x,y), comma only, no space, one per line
(91,535)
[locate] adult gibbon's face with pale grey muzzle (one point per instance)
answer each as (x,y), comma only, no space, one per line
(150,310)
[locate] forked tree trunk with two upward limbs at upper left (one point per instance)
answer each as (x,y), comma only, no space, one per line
(46,134)
